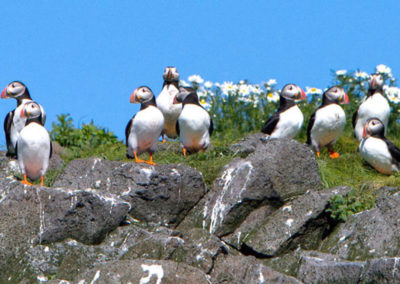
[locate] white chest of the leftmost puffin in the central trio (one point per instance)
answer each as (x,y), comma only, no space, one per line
(146,129)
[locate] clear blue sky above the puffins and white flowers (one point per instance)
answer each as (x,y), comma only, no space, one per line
(86,57)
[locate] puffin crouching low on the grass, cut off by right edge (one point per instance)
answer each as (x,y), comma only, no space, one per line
(377,150)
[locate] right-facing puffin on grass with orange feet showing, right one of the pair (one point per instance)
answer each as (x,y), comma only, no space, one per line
(327,121)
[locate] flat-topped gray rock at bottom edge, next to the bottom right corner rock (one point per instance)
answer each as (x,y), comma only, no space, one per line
(323,268)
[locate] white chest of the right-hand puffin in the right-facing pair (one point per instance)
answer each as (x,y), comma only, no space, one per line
(329,123)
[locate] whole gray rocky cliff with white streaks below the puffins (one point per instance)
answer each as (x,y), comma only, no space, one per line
(264,220)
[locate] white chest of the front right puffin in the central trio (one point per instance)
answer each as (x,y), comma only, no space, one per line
(194,123)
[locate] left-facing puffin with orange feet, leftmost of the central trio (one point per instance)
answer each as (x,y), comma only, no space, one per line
(145,127)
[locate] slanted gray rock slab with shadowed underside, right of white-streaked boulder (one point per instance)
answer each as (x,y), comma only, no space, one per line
(288,226)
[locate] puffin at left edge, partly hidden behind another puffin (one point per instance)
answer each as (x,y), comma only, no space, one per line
(13,123)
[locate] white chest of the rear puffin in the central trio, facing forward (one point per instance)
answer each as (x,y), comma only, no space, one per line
(170,110)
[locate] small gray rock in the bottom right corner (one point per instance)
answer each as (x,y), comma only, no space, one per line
(383,270)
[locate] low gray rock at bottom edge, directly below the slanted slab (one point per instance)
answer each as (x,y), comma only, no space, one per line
(241,269)
